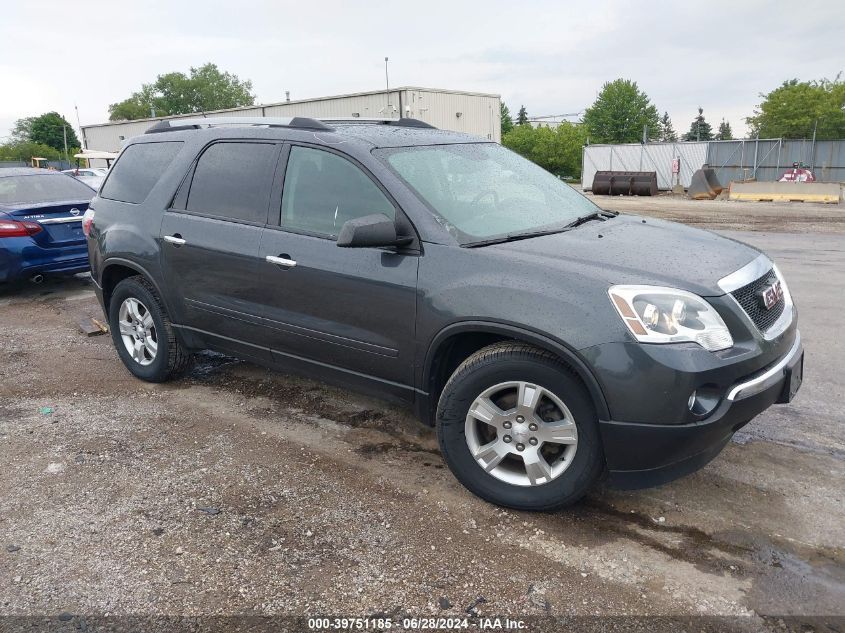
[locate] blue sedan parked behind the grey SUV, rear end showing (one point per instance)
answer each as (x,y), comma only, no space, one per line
(41,224)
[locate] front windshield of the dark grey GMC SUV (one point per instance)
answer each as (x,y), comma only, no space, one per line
(482,191)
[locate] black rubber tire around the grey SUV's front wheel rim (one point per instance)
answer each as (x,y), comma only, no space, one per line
(514,361)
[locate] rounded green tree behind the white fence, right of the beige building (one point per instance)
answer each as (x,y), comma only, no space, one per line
(620,113)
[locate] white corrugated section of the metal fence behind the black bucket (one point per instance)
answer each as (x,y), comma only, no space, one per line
(655,157)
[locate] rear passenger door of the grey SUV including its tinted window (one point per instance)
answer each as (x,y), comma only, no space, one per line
(210,240)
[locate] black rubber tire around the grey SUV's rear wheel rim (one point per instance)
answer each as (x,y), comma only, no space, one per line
(171,358)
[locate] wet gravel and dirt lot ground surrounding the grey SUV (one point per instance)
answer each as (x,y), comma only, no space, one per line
(238,491)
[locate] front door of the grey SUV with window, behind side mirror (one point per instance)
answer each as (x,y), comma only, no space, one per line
(351,310)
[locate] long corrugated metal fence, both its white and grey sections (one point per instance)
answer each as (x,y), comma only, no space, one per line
(764,160)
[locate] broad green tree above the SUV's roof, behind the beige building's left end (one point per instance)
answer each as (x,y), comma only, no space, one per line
(206,88)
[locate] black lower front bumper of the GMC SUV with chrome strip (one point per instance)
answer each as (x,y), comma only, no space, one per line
(643,455)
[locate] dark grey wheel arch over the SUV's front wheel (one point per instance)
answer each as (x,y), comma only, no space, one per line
(446,351)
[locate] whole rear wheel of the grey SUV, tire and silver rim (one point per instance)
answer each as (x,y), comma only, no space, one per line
(142,332)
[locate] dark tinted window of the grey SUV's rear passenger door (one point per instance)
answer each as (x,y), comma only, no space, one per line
(233,180)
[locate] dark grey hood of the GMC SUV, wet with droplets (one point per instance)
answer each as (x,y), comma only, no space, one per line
(630,249)
